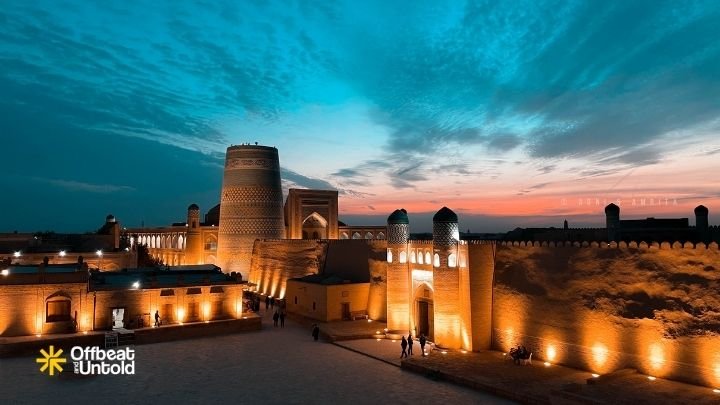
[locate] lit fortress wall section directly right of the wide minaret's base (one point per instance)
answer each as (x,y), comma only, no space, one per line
(275,261)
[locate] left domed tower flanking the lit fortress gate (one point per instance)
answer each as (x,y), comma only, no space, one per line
(398,285)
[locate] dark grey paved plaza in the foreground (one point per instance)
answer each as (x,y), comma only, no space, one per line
(270,366)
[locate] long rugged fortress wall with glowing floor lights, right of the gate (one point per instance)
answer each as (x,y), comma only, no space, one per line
(602,309)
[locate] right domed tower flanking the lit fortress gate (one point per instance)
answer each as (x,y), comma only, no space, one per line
(446,280)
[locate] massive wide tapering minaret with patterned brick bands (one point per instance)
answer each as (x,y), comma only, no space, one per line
(251,205)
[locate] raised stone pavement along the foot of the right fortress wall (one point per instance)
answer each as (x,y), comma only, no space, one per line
(492,372)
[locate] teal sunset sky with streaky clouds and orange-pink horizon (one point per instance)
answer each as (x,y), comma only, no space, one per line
(511,113)
